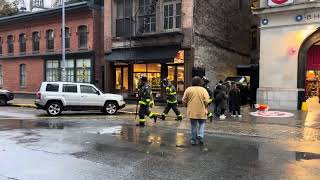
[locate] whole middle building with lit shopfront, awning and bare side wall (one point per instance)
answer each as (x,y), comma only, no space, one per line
(173,39)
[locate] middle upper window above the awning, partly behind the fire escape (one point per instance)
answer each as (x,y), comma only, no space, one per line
(147,22)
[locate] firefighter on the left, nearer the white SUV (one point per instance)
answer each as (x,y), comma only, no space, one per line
(145,101)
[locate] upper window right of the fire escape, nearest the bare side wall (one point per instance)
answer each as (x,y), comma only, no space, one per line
(171,14)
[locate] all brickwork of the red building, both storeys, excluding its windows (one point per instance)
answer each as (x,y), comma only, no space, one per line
(93,19)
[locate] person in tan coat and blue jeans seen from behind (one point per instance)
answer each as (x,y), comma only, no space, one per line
(196,98)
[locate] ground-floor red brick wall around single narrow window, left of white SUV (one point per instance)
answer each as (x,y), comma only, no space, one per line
(34,74)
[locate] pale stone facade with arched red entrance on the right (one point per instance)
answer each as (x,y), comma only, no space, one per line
(289,46)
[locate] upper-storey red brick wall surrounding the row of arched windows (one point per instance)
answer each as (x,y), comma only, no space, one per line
(72,21)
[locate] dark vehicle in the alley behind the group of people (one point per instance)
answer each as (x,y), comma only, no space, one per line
(243,83)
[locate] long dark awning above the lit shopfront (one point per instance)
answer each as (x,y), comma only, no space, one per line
(152,54)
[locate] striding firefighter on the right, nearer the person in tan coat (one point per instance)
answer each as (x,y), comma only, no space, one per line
(172,101)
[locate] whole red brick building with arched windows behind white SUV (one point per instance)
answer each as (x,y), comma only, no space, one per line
(30,47)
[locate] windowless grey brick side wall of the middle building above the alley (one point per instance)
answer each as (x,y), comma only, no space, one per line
(222,36)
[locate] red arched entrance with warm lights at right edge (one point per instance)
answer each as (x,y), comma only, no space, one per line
(313,78)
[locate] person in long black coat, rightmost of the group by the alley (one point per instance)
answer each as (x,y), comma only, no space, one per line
(234,100)
